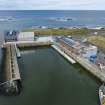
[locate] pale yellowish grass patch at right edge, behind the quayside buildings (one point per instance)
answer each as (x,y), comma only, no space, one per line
(98,41)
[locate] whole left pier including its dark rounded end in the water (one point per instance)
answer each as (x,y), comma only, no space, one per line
(12,78)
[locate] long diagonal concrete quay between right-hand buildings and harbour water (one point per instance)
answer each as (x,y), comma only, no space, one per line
(90,67)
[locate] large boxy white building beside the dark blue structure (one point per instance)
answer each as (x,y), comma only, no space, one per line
(25,36)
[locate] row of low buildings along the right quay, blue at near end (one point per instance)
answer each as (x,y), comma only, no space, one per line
(85,50)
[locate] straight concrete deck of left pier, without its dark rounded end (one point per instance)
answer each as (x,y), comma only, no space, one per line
(11,70)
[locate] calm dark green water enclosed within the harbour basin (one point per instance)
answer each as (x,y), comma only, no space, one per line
(48,79)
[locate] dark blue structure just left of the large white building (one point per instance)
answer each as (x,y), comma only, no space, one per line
(10,36)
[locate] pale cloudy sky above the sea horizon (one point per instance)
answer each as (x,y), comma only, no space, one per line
(52,4)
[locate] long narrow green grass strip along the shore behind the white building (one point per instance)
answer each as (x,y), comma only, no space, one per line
(71,32)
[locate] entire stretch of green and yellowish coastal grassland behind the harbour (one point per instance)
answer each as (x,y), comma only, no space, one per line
(98,40)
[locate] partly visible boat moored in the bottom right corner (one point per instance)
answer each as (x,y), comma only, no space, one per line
(102,94)
